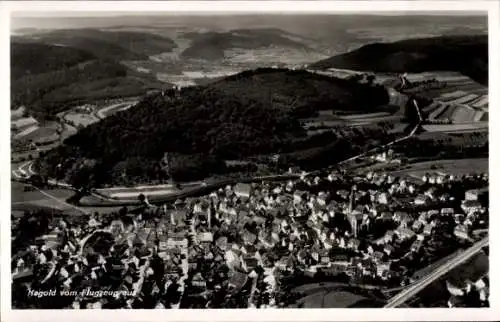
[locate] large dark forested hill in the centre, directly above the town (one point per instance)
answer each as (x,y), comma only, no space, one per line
(254,112)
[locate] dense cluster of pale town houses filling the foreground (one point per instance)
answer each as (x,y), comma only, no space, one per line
(229,248)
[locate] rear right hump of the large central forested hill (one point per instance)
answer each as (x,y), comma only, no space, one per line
(302,92)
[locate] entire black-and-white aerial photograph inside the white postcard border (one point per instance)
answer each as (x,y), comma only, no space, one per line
(230,161)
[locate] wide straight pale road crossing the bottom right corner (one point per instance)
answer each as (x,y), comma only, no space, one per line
(415,288)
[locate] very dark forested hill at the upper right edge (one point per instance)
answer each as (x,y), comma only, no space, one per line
(465,54)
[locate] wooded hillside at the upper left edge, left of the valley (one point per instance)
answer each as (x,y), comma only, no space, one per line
(48,79)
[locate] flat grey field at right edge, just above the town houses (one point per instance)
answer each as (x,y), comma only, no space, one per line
(456,167)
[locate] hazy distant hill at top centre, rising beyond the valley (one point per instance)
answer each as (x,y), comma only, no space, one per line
(212,45)
